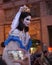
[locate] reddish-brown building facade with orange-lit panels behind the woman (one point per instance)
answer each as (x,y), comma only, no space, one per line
(41,23)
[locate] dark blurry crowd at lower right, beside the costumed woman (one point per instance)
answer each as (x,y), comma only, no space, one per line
(41,57)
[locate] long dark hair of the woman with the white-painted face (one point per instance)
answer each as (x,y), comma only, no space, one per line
(21,26)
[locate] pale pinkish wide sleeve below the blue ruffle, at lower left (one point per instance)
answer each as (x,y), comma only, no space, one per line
(11,46)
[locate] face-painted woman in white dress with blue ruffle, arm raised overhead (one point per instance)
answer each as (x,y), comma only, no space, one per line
(19,38)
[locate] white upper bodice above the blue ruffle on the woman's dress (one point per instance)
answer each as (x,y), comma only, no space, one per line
(24,37)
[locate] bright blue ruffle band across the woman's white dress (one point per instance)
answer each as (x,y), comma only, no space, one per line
(17,39)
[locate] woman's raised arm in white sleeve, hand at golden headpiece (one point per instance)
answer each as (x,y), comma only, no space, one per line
(15,21)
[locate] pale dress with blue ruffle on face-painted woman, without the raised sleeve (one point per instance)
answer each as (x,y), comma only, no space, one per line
(15,41)
